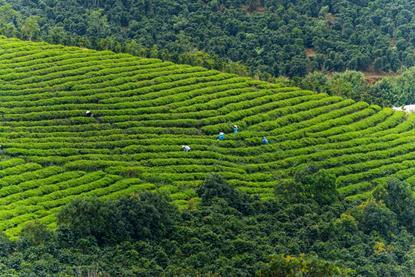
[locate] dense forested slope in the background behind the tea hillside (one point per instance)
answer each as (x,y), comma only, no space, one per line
(272,38)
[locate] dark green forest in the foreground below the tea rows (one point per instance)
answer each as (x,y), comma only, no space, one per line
(307,230)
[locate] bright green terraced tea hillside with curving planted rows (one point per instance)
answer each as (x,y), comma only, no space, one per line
(145,109)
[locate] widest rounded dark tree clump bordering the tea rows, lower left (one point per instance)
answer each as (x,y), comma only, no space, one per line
(139,217)
